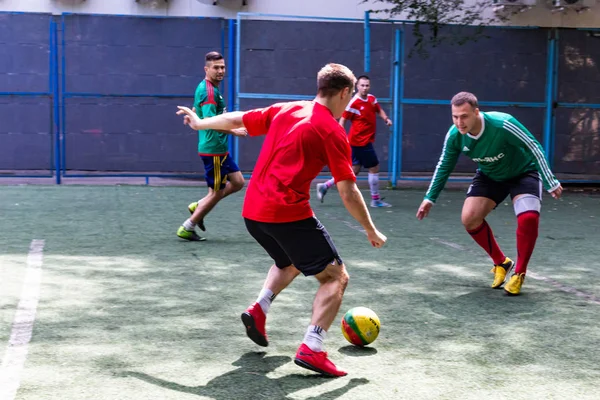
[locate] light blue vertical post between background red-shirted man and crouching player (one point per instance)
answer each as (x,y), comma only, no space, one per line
(397,108)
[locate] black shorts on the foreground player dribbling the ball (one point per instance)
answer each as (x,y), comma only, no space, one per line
(305,244)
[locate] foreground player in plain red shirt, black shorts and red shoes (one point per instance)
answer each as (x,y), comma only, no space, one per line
(302,137)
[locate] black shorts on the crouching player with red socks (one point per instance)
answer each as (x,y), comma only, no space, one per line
(484,186)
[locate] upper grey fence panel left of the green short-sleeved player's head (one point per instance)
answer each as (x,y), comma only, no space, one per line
(128,55)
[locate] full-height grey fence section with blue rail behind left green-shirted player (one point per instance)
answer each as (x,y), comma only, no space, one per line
(82,43)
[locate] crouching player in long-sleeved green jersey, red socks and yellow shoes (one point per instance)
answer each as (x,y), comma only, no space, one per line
(510,162)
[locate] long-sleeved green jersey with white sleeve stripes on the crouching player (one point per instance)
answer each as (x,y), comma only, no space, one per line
(504,149)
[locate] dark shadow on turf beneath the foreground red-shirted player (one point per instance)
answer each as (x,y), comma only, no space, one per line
(250,381)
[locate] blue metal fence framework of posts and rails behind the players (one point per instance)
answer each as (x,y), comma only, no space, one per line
(65,90)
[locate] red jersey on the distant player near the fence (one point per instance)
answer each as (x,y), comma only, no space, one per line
(363,114)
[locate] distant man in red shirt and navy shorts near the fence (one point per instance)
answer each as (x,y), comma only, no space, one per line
(362,113)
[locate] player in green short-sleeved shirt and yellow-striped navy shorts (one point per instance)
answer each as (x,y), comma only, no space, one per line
(222,174)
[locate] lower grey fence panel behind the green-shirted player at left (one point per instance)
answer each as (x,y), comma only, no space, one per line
(129,135)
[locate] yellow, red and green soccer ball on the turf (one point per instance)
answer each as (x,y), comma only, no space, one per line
(360,326)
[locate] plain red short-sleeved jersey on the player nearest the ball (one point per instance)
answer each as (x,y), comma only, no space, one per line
(301,138)
